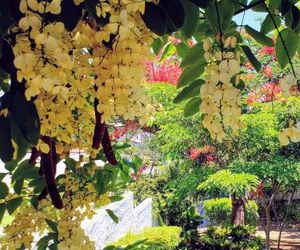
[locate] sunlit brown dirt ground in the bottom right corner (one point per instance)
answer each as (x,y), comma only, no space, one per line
(289,239)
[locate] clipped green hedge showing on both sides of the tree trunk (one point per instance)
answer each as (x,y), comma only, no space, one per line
(218,211)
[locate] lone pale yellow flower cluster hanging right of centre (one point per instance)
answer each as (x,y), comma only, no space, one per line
(220,99)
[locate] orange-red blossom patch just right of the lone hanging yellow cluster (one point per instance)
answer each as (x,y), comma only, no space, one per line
(268,92)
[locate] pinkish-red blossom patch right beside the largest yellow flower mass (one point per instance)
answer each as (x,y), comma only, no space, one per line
(168,71)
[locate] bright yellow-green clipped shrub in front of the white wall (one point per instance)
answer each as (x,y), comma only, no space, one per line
(156,238)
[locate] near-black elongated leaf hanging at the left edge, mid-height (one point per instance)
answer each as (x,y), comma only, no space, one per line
(6,147)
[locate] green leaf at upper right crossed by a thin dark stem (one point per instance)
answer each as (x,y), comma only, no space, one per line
(291,41)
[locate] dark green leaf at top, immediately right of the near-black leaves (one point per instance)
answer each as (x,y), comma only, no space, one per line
(191,18)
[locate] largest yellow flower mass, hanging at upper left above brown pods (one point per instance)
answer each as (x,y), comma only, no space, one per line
(64,71)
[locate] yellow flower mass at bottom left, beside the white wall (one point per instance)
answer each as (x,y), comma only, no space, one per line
(81,202)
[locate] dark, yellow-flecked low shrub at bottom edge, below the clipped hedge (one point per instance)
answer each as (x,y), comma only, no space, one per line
(233,238)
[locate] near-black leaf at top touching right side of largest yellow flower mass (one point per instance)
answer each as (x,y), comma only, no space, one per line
(155,18)
